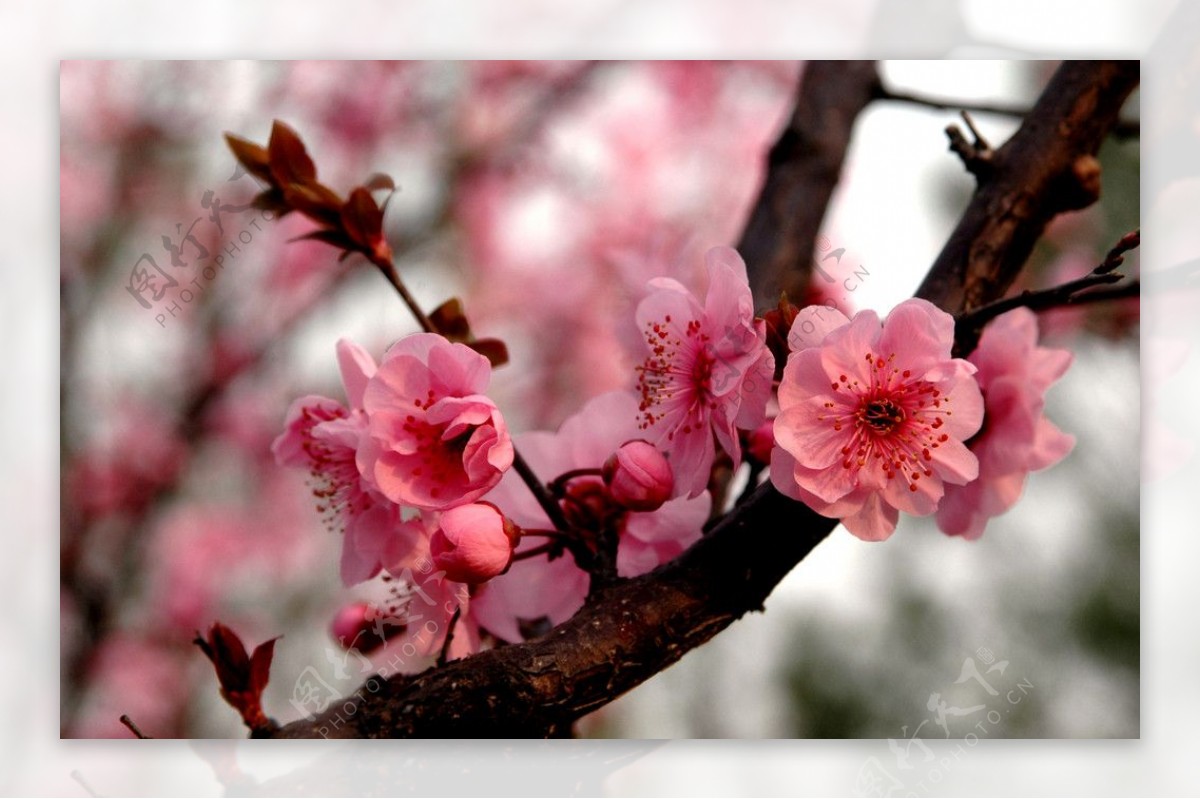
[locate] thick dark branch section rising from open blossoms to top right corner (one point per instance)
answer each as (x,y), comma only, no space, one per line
(1048,167)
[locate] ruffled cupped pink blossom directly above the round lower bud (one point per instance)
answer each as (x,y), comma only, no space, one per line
(436,441)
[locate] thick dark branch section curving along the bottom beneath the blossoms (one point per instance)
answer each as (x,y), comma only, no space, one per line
(626,634)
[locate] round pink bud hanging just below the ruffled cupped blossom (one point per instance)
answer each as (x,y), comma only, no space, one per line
(475,543)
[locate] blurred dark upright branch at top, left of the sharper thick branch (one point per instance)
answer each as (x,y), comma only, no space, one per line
(802,172)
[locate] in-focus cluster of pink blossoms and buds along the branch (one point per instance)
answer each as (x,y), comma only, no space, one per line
(875,418)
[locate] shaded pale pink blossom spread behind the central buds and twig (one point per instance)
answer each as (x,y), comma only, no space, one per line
(539,593)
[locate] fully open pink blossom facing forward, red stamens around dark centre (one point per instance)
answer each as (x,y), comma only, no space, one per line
(873,418)
